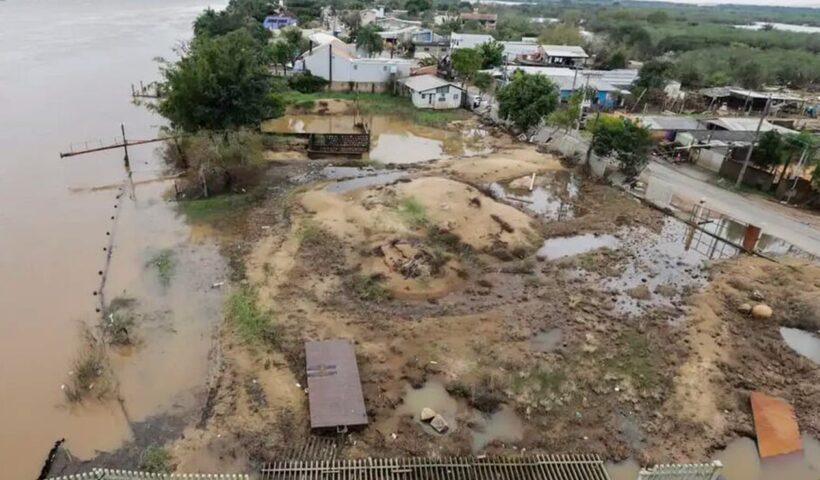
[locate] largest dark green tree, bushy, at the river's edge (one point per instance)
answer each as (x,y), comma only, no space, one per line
(218,83)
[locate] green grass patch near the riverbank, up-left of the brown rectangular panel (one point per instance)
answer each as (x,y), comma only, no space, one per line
(253,323)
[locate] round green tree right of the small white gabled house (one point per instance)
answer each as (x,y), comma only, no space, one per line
(527,100)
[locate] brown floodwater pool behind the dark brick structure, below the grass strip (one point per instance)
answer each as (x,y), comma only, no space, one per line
(393,139)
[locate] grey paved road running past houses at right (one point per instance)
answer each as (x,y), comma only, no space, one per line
(795,227)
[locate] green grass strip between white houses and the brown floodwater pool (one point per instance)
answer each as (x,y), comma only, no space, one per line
(381,104)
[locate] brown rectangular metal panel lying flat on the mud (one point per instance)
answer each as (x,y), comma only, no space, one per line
(334,388)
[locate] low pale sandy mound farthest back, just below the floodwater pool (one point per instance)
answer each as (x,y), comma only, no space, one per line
(502,165)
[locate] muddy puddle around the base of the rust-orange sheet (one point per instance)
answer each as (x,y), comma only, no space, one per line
(741,462)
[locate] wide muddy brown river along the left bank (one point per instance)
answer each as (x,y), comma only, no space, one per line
(65,75)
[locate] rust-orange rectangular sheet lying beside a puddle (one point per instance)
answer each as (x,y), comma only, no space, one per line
(776,426)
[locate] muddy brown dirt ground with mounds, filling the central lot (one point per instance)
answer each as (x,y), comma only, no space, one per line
(438,281)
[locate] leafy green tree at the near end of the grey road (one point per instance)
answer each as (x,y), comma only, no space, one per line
(626,140)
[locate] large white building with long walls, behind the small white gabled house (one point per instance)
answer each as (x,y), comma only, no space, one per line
(338,63)
